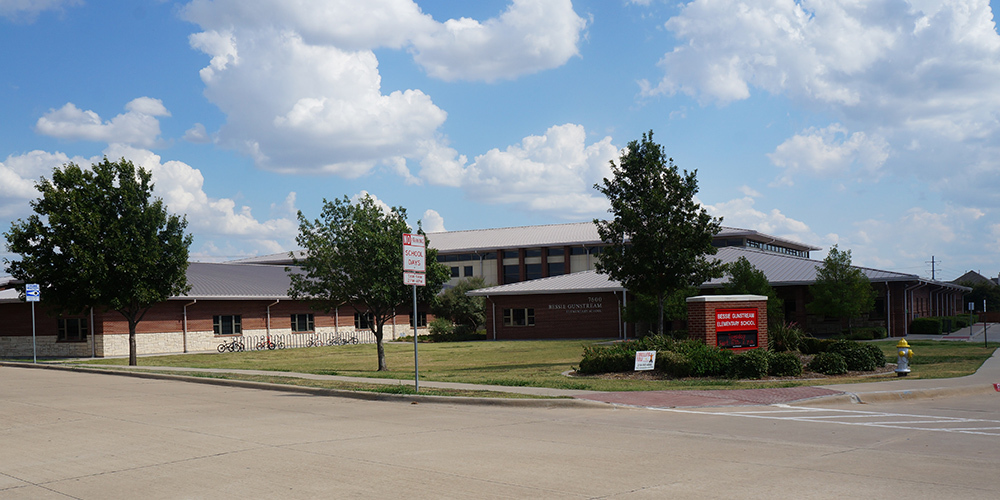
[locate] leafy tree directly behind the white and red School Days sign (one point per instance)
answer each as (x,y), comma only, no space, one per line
(354,255)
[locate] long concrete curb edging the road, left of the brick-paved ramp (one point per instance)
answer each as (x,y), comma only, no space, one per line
(317,391)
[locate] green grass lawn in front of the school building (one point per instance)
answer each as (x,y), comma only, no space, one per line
(533,363)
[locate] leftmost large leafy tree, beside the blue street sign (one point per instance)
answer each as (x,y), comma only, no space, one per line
(99,239)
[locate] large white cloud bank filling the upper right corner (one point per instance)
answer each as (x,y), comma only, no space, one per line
(915,78)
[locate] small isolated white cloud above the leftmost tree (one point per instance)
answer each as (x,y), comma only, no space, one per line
(138,126)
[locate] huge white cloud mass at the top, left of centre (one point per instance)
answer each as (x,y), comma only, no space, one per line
(309,69)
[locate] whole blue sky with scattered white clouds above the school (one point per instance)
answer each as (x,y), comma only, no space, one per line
(873,126)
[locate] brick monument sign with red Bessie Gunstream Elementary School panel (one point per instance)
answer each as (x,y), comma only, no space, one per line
(729,321)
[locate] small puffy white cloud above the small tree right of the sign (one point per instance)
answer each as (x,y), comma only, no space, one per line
(830,152)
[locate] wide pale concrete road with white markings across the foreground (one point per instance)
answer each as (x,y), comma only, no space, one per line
(90,436)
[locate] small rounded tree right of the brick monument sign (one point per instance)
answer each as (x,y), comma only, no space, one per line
(841,291)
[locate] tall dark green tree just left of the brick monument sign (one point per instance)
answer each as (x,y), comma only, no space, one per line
(660,238)
